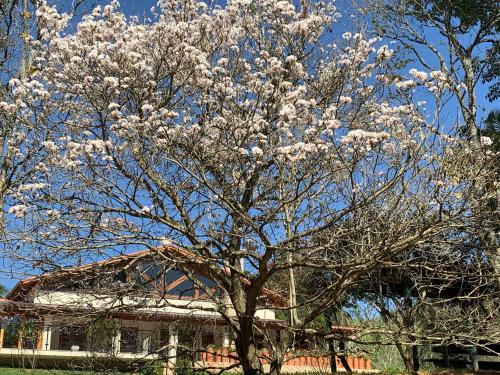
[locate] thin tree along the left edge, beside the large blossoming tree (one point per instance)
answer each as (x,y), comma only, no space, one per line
(20,154)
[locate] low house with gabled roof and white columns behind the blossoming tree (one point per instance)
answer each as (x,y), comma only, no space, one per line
(131,309)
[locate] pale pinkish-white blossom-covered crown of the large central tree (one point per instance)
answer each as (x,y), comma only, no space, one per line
(217,95)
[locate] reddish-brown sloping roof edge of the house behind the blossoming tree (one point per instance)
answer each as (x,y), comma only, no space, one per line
(173,251)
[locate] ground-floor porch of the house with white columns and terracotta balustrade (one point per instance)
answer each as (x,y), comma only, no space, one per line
(66,341)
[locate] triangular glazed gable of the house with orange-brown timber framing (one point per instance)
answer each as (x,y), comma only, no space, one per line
(156,275)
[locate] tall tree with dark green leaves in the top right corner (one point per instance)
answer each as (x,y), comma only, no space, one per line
(457,37)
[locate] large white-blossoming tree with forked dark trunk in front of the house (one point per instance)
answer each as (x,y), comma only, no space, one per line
(243,133)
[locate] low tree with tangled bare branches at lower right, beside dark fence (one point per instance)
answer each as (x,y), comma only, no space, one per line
(442,294)
